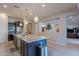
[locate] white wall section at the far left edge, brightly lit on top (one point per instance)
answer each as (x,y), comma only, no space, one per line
(3,28)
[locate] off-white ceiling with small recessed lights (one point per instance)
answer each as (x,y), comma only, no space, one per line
(22,10)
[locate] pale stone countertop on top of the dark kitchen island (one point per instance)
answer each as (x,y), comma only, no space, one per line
(30,38)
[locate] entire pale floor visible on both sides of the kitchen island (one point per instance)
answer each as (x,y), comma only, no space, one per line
(8,49)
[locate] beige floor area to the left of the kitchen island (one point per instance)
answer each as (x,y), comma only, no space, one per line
(8,49)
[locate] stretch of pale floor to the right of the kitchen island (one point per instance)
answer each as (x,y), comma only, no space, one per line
(63,50)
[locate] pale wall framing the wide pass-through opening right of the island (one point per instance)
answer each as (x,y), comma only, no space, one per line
(61,36)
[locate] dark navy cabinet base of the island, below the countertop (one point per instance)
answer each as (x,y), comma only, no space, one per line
(33,48)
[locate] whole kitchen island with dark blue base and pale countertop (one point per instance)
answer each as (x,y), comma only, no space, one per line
(31,45)
